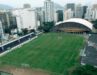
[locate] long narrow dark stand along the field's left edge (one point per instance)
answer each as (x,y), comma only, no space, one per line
(16,42)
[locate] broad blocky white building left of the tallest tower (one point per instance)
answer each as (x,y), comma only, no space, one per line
(26,18)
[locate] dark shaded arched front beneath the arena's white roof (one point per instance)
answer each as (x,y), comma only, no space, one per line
(72,26)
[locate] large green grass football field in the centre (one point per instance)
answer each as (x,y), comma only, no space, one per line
(54,52)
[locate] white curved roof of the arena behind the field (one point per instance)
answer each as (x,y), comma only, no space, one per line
(78,20)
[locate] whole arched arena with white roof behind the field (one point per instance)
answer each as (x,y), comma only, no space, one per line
(74,25)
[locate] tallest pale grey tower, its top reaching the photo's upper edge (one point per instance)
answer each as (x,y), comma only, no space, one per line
(49,10)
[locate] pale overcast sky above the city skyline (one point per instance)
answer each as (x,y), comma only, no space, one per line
(38,3)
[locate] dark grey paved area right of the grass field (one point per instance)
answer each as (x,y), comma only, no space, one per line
(91,51)
